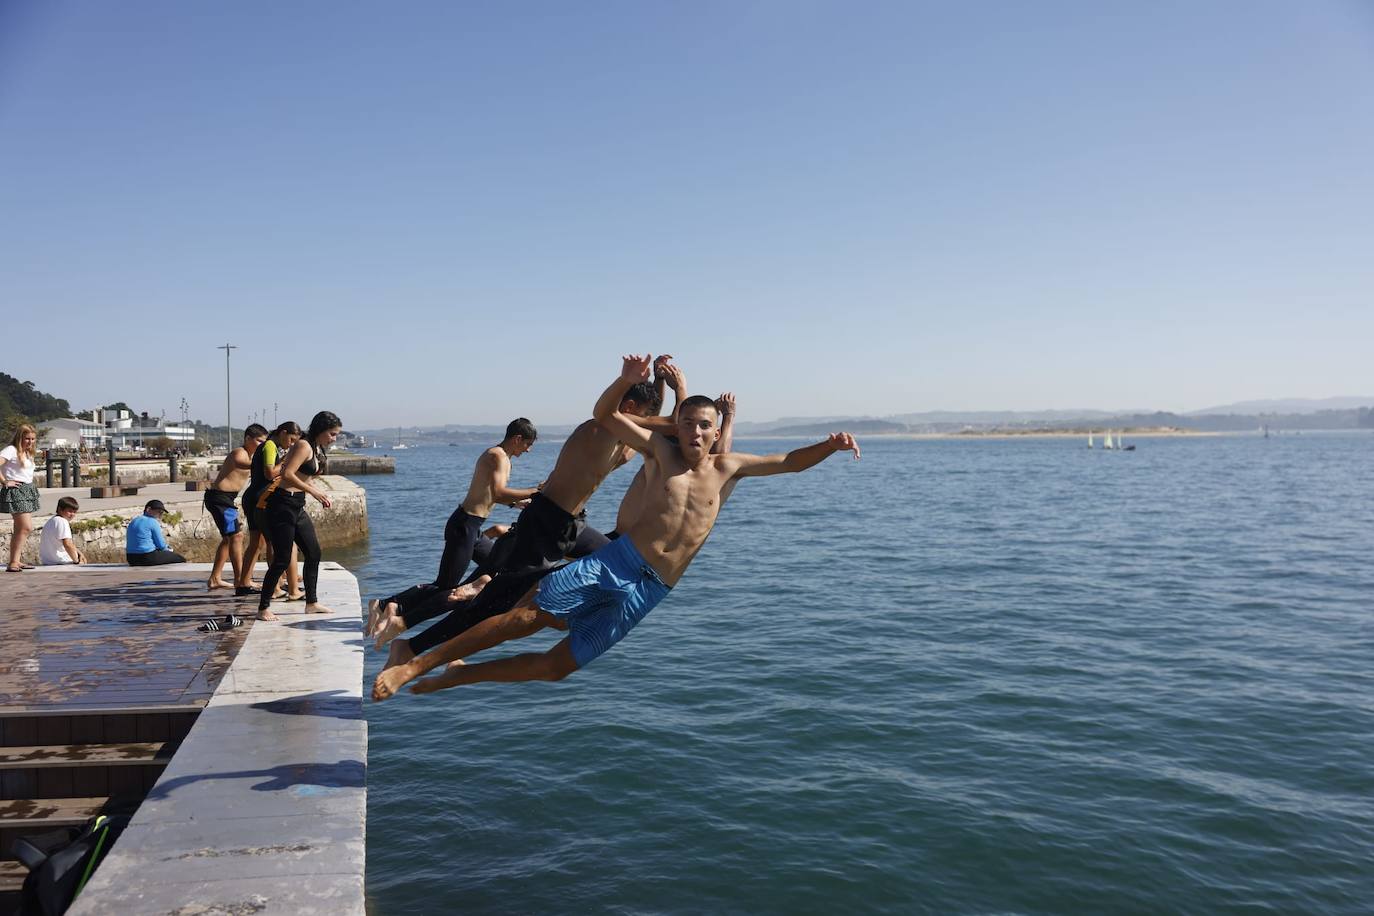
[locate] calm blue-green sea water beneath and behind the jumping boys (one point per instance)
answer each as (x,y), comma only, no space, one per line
(954,678)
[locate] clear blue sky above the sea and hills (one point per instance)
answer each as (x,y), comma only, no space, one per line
(442,212)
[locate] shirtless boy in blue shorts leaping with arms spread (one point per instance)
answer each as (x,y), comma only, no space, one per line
(601,598)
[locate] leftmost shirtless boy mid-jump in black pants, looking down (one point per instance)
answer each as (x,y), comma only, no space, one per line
(465,527)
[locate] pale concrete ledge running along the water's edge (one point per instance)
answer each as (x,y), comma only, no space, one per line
(264,807)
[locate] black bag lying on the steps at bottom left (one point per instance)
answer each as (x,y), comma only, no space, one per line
(63,862)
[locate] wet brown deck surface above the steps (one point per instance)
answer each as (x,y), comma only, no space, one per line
(112,638)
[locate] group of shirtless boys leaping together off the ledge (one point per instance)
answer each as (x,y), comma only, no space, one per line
(550,569)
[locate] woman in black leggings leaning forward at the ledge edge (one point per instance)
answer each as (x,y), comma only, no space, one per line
(286,520)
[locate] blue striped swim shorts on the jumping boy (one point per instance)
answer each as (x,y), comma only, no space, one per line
(601,597)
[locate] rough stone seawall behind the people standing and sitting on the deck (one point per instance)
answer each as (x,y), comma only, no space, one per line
(190,531)
